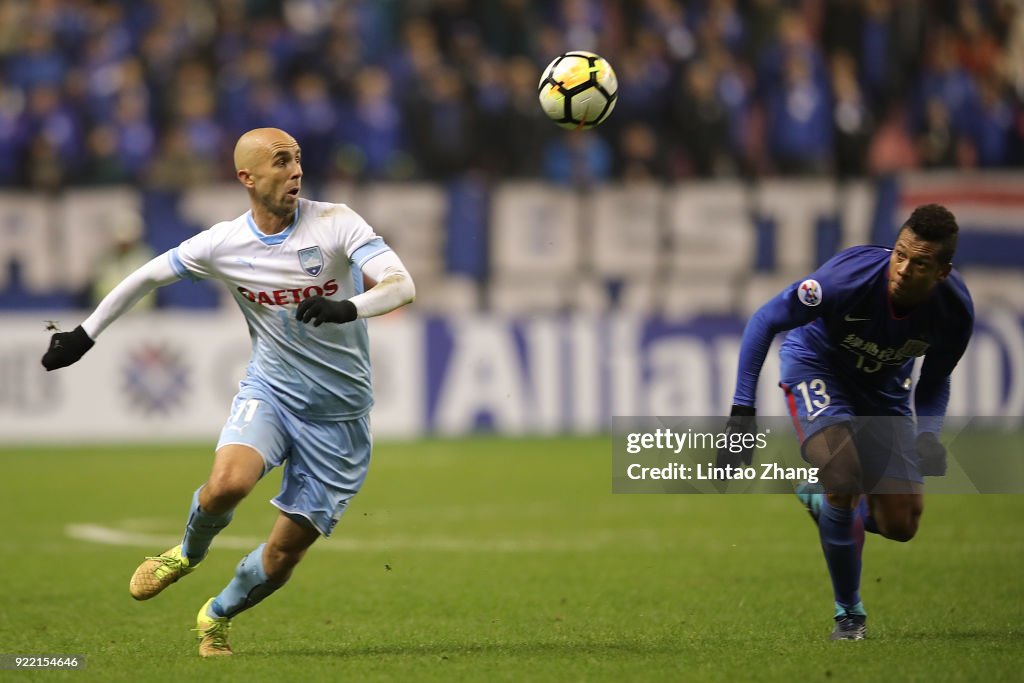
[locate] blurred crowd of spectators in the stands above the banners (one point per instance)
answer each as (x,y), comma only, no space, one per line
(156,93)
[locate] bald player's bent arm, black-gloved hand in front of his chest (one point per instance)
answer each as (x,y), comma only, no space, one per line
(395,289)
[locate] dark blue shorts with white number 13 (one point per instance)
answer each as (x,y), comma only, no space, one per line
(884,433)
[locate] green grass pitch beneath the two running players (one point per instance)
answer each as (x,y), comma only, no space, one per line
(492,561)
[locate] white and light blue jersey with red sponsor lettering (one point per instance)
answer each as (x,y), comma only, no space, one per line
(319,373)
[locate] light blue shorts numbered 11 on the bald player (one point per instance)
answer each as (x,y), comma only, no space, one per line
(325,463)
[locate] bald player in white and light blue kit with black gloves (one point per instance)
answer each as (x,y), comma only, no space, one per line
(295,268)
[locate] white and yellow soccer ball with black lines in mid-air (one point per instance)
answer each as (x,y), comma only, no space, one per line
(578,91)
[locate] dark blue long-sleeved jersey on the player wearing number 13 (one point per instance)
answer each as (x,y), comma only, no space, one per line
(842,318)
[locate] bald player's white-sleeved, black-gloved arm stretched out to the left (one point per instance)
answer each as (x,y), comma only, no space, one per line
(68,348)
